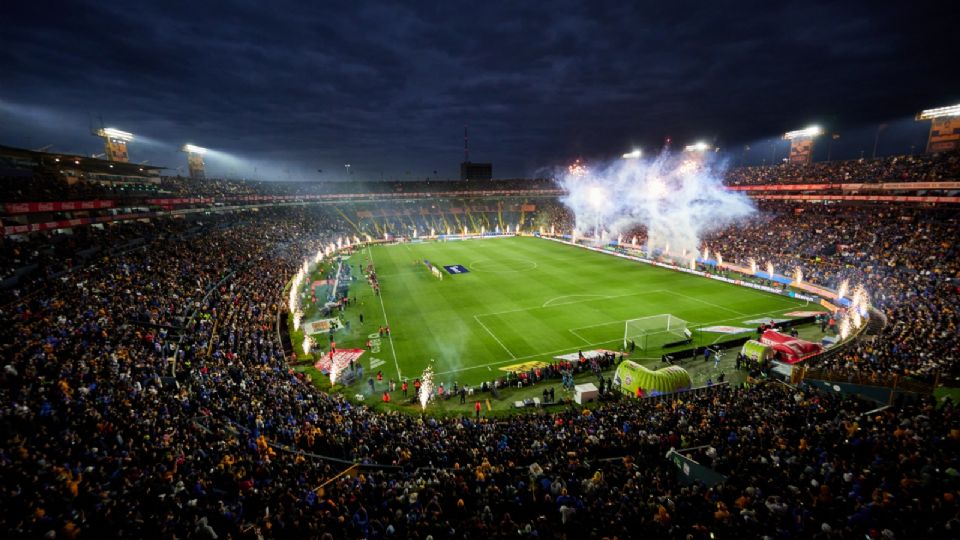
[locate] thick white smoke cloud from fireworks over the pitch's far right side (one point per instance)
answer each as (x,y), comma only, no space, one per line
(677,198)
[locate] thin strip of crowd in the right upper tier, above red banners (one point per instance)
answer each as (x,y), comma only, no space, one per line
(907,168)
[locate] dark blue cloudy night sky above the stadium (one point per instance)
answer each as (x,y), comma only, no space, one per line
(300,86)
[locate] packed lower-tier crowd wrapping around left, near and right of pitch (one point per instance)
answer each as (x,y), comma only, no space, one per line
(148,396)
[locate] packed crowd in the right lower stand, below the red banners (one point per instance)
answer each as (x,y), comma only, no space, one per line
(907,260)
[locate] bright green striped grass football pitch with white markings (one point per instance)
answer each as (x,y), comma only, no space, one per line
(528,299)
